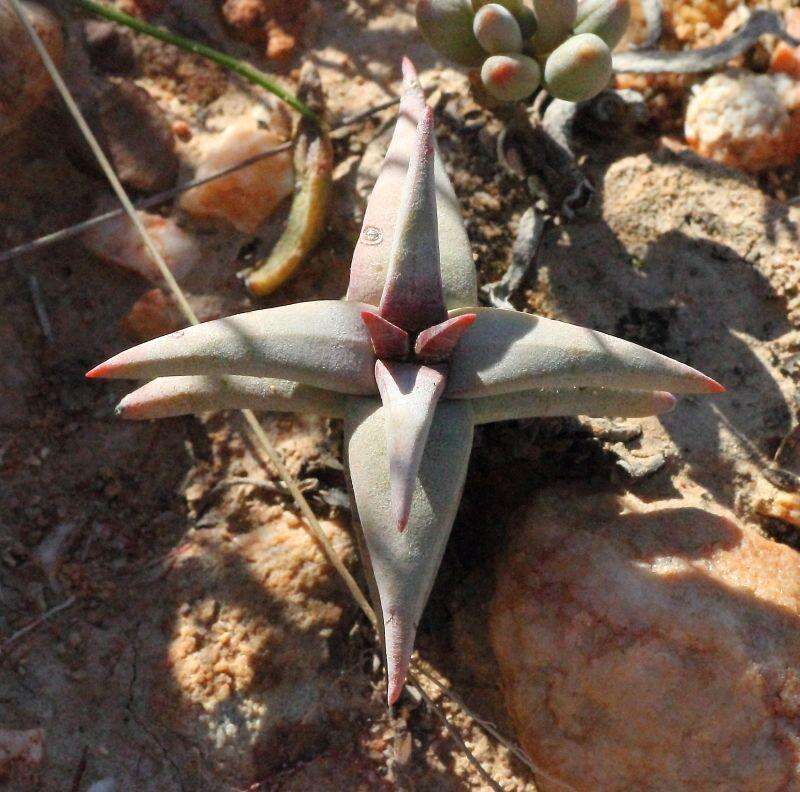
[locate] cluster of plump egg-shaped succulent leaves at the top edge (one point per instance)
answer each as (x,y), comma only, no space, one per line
(517,46)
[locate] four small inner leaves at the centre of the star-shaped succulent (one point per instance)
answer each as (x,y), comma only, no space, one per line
(411,334)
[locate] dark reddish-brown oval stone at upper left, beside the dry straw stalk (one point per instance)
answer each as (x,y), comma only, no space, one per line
(138,137)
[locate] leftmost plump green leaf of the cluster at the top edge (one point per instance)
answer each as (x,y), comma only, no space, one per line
(447,26)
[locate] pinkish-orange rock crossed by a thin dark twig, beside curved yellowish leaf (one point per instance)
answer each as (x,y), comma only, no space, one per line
(245,198)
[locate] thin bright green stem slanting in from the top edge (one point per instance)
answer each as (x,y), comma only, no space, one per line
(253,75)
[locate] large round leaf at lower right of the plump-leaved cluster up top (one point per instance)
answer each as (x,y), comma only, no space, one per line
(579,69)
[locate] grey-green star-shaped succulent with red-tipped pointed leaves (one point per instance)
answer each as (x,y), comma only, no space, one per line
(411,365)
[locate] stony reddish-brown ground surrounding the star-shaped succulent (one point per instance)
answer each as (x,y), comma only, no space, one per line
(209,646)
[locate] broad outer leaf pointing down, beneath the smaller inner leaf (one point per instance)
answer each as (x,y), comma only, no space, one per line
(404,565)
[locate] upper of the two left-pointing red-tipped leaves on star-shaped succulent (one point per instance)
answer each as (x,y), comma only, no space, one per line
(322,343)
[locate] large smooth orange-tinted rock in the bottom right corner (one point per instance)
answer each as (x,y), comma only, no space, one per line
(656,649)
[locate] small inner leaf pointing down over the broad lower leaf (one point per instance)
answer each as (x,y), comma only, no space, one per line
(409,393)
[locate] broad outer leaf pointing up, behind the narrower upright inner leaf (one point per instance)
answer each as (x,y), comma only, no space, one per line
(371,256)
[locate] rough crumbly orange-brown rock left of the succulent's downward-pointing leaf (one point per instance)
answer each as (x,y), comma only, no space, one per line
(249,654)
